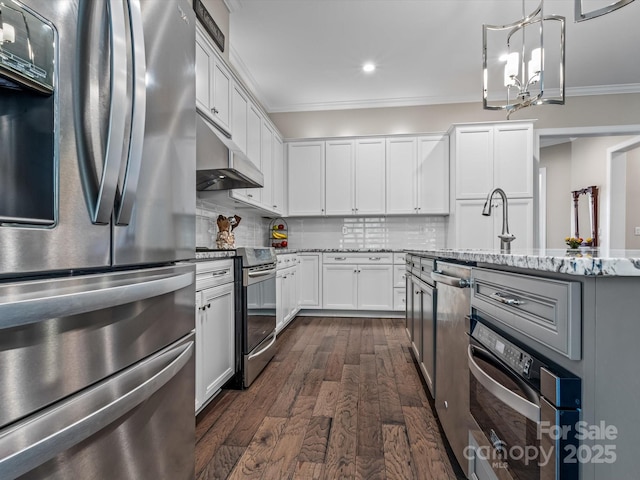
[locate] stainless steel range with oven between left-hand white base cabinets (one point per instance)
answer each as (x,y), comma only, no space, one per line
(256,322)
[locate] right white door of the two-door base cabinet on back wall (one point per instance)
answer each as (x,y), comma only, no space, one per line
(375,287)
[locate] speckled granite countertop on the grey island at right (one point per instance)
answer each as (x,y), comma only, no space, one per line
(596,262)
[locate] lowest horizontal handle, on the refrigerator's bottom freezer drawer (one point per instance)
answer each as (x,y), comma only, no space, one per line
(37,440)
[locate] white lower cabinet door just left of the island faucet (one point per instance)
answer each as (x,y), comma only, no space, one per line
(473,230)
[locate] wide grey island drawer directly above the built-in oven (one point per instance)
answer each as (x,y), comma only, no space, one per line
(545,310)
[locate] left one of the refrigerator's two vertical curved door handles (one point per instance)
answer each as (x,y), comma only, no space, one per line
(103,208)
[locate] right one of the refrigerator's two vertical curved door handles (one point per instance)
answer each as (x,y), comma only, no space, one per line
(127,199)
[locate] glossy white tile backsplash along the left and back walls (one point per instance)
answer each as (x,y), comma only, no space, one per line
(317,232)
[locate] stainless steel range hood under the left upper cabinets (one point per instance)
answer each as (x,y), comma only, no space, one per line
(220,164)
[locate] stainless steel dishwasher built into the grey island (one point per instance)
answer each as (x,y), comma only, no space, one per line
(452,371)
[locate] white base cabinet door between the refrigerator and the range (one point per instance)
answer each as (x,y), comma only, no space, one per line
(215,338)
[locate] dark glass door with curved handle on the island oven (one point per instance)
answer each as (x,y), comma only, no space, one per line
(507,412)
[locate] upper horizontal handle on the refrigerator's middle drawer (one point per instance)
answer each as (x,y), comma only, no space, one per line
(62,303)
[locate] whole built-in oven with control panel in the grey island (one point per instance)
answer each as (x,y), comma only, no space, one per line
(525,409)
